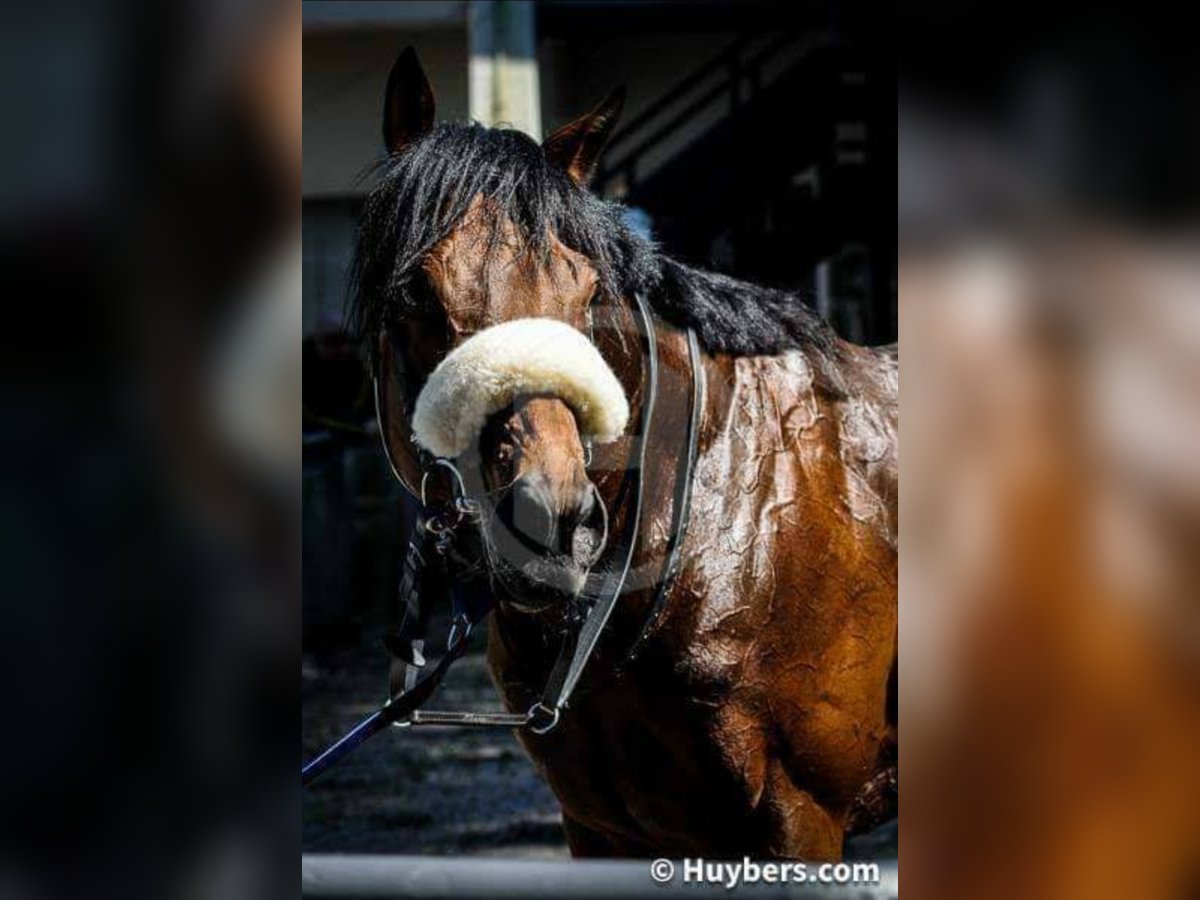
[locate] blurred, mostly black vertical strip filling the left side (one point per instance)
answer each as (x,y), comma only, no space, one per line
(151,406)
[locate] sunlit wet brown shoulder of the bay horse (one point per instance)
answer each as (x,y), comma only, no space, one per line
(793,574)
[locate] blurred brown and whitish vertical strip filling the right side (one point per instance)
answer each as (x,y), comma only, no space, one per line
(1049,233)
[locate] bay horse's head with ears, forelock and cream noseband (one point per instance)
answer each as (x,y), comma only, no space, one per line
(479,305)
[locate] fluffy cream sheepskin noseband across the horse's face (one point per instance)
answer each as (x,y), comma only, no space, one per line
(484,374)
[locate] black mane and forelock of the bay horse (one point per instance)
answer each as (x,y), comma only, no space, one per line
(425,191)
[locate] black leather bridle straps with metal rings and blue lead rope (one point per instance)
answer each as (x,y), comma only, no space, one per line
(431,560)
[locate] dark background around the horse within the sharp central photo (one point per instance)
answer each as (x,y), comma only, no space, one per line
(758,140)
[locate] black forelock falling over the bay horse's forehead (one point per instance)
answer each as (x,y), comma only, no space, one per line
(517,201)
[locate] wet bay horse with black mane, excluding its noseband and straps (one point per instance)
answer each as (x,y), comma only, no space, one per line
(759,713)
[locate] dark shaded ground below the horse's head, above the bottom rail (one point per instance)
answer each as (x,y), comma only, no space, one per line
(421,791)
